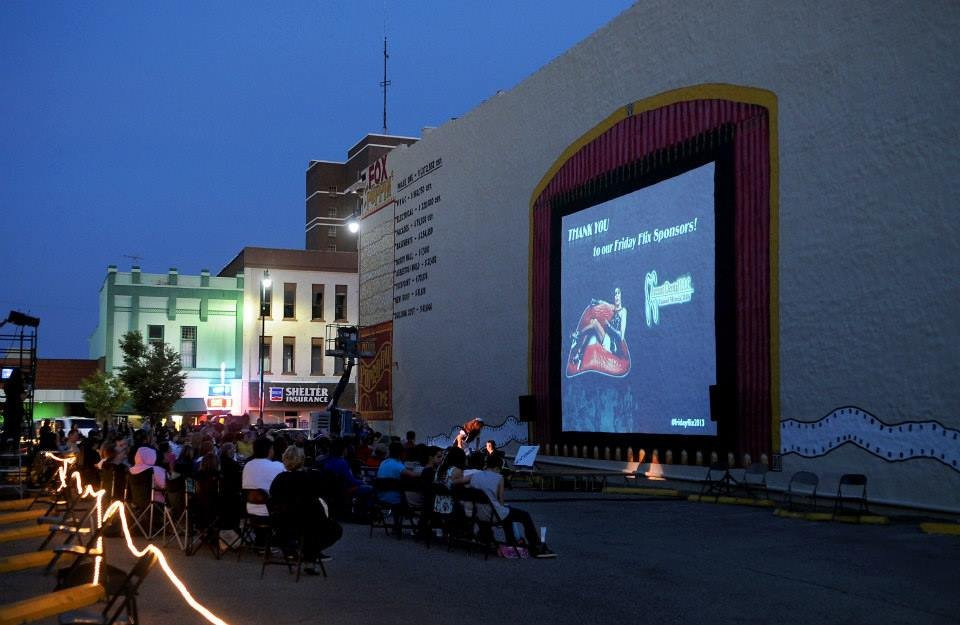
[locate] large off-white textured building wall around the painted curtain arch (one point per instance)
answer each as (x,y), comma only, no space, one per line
(868,246)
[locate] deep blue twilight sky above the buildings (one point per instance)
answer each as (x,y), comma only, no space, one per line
(180,131)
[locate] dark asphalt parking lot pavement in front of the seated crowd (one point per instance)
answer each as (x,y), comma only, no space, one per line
(621,560)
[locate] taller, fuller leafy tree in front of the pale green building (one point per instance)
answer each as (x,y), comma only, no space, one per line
(153,375)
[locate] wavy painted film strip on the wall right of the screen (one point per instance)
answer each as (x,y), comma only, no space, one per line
(850,425)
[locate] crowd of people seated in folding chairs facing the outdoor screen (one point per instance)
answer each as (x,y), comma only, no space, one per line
(318,483)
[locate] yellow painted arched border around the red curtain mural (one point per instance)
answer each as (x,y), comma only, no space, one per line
(706,91)
